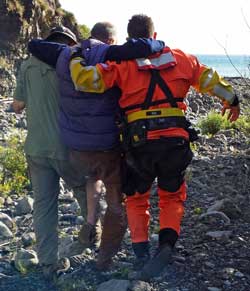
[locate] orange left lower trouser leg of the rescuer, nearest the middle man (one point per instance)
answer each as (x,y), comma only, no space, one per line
(138,216)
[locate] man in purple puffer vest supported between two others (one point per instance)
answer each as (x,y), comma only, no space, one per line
(88,125)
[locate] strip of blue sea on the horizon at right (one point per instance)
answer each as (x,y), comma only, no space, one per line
(228,66)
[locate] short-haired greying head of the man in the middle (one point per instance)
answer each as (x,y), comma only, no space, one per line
(105,32)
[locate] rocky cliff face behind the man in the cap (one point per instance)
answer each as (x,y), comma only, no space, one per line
(21,20)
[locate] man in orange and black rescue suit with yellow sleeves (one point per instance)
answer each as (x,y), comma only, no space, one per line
(157,133)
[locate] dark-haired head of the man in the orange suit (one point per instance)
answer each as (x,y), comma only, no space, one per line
(140,25)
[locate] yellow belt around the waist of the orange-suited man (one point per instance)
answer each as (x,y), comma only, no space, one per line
(159,112)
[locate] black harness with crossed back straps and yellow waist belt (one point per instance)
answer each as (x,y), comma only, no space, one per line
(137,124)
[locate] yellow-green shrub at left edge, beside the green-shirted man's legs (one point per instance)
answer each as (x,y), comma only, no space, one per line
(13,167)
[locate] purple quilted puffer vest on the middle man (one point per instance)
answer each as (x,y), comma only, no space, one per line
(87,121)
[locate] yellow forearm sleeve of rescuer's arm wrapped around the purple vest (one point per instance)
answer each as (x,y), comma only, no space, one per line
(87,79)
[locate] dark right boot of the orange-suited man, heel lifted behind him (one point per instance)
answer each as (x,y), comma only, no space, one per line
(155,266)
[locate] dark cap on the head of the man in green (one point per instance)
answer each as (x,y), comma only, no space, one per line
(62,34)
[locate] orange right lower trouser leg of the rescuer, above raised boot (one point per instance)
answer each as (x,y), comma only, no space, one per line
(172,208)
